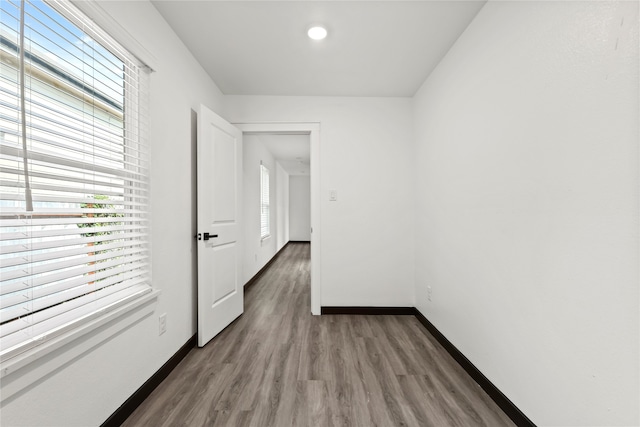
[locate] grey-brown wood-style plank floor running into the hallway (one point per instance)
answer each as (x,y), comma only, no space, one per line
(277,365)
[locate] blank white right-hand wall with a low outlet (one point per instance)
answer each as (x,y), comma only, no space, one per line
(527,232)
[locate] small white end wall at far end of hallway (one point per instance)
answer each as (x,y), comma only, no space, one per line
(300,208)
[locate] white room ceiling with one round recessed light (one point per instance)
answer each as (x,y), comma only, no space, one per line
(374,48)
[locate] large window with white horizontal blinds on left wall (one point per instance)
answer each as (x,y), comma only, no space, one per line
(73,174)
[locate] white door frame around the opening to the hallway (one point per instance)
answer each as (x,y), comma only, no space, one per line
(313,130)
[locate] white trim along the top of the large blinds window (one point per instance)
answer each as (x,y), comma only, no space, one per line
(107,23)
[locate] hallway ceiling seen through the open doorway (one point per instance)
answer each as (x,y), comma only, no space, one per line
(293,152)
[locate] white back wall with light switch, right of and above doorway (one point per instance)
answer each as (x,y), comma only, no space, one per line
(365,144)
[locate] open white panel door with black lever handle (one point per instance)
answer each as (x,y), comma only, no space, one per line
(220,292)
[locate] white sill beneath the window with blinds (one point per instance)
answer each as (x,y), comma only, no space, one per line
(29,367)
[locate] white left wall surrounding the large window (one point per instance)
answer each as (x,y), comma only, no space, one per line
(91,387)
